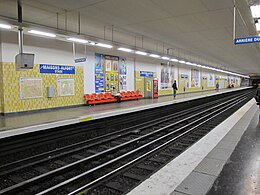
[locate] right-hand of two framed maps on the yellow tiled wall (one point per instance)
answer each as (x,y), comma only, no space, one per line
(65,86)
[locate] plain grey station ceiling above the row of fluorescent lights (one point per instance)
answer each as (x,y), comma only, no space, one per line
(203,27)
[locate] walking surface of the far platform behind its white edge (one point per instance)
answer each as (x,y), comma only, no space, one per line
(21,120)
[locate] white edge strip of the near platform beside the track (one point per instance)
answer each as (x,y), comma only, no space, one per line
(170,176)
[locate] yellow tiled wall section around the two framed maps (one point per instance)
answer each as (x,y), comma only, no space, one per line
(11,88)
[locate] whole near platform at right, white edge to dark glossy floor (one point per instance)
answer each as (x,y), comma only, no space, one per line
(196,169)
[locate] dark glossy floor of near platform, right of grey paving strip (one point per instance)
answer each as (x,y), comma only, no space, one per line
(241,174)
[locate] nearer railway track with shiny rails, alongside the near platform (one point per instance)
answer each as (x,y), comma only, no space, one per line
(114,163)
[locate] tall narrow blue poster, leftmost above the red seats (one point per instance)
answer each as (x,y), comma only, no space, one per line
(99,73)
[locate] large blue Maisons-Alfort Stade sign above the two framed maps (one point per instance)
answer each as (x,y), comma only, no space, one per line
(56,69)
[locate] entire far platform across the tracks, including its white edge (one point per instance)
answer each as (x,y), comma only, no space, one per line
(21,123)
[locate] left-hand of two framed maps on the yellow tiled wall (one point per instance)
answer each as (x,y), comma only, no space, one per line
(30,88)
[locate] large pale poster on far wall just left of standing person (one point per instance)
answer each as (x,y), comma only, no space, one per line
(167,76)
